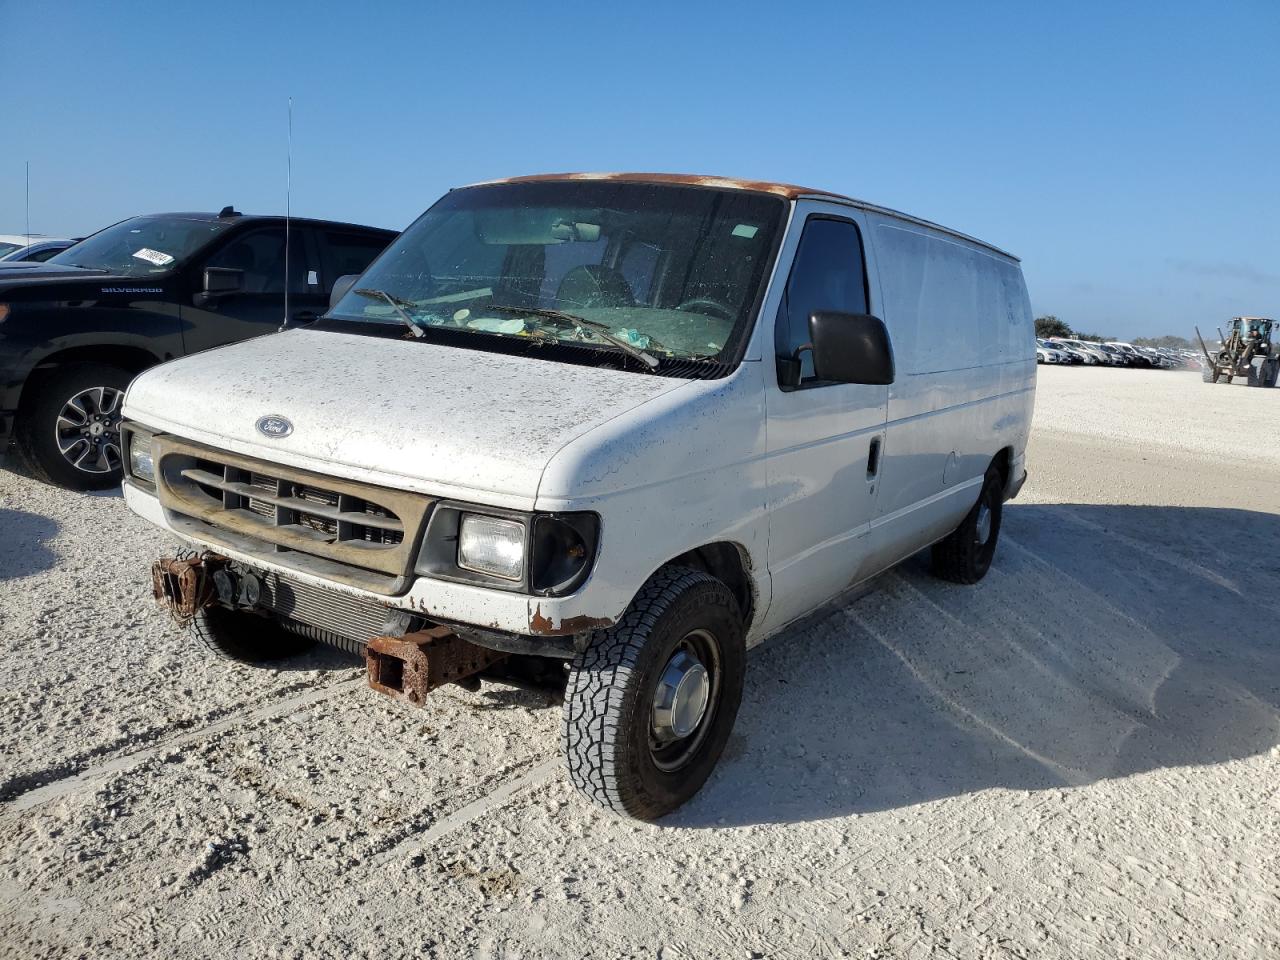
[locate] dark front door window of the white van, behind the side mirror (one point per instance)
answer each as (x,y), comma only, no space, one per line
(829,273)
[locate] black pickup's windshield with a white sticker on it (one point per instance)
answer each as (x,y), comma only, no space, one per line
(143,246)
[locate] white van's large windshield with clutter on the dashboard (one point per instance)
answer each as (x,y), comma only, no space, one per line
(670,272)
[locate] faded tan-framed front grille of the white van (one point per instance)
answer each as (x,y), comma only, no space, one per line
(323,525)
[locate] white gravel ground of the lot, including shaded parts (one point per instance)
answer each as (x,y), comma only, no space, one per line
(1078,758)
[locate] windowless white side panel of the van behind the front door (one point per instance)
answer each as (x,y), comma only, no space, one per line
(961,323)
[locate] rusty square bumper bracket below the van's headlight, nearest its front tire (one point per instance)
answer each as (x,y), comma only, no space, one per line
(409,668)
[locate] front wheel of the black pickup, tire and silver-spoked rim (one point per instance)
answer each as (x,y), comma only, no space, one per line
(68,432)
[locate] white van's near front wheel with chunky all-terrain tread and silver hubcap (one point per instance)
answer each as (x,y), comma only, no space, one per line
(652,701)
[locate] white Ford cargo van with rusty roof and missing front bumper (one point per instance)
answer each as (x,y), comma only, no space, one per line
(611,427)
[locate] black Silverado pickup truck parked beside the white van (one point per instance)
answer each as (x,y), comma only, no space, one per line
(76,330)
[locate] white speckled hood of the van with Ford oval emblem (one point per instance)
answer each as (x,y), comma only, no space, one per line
(392,412)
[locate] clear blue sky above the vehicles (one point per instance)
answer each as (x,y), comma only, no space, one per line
(1128,153)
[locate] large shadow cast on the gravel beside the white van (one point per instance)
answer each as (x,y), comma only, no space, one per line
(1107,642)
